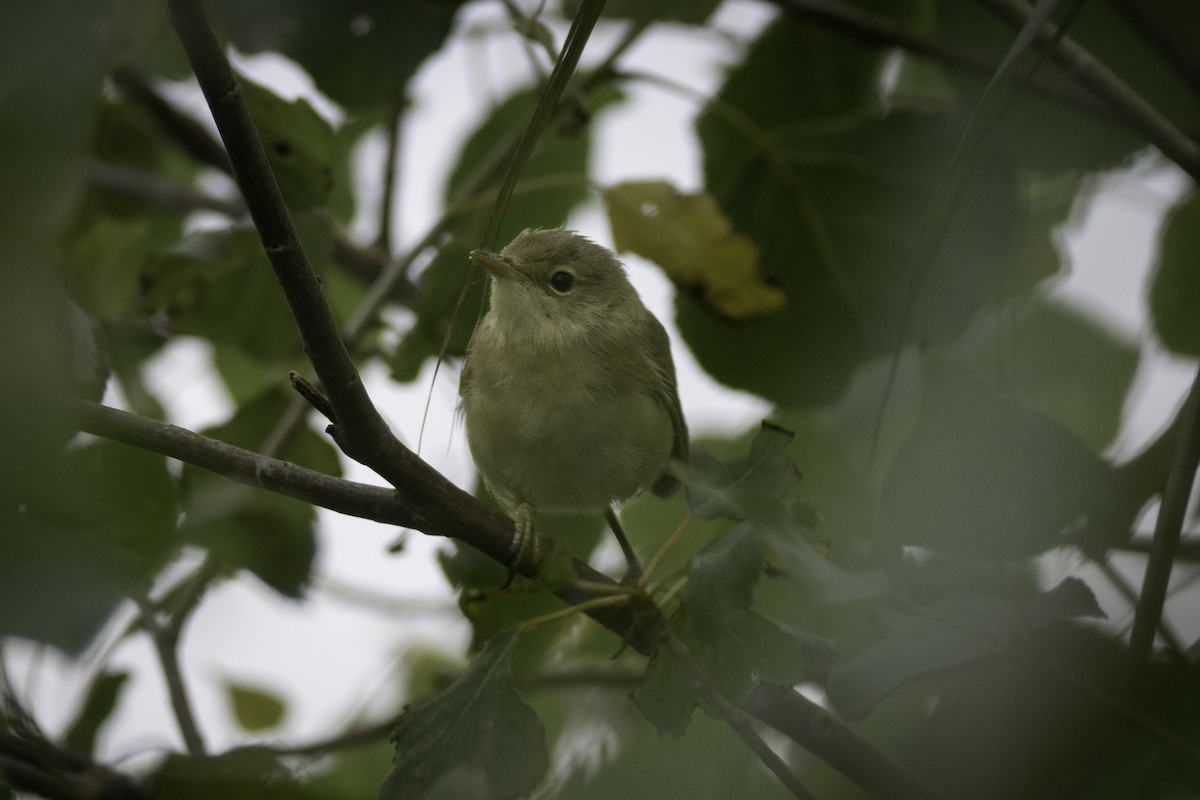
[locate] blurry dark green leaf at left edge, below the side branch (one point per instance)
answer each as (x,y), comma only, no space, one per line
(82,544)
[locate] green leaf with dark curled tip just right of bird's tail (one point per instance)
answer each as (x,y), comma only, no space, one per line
(753,488)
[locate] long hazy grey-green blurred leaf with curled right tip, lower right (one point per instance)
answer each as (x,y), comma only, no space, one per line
(956,630)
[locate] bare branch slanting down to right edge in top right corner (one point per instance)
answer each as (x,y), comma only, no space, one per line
(1090,73)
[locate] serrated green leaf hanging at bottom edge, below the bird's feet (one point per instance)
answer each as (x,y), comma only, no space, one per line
(479,733)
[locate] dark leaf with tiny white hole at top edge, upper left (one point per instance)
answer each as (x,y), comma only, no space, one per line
(361,53)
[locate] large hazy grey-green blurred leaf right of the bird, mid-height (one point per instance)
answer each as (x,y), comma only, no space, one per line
(983,478)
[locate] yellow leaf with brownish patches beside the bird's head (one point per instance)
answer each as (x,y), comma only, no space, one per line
(694,243)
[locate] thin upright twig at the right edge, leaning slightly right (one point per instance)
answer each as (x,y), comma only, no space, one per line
(1168,528)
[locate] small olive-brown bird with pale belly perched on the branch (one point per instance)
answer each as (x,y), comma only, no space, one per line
(569,390)
